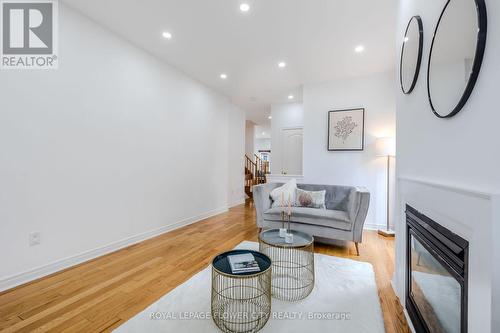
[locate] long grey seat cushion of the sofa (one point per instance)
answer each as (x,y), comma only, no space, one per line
(322,217)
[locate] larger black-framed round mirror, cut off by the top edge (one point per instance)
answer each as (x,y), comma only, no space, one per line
(456,55)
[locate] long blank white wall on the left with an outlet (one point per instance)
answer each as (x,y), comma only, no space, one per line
(114,146)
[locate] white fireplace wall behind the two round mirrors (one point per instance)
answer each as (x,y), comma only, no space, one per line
(462,152)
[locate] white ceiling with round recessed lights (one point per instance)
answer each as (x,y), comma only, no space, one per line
(316,39)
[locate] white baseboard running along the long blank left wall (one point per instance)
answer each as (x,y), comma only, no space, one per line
(36,273)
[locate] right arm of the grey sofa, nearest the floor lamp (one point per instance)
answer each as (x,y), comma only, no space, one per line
(359,202)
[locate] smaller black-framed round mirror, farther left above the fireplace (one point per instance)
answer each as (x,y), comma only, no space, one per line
(411,54)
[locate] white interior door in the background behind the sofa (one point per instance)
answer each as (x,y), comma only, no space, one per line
(291,163)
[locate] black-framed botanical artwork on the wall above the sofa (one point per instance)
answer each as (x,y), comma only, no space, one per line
(346,130)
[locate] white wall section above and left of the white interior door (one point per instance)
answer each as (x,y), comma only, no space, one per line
(287,115)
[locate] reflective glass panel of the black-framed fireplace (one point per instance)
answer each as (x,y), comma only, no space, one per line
(435,292)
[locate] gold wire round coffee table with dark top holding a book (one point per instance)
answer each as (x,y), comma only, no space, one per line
(241,302)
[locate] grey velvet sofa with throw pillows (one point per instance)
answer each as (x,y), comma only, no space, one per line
(343,218)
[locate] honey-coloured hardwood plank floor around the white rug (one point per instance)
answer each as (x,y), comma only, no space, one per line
(101,294)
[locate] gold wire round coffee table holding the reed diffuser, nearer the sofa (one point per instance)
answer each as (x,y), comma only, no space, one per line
(293,264)
